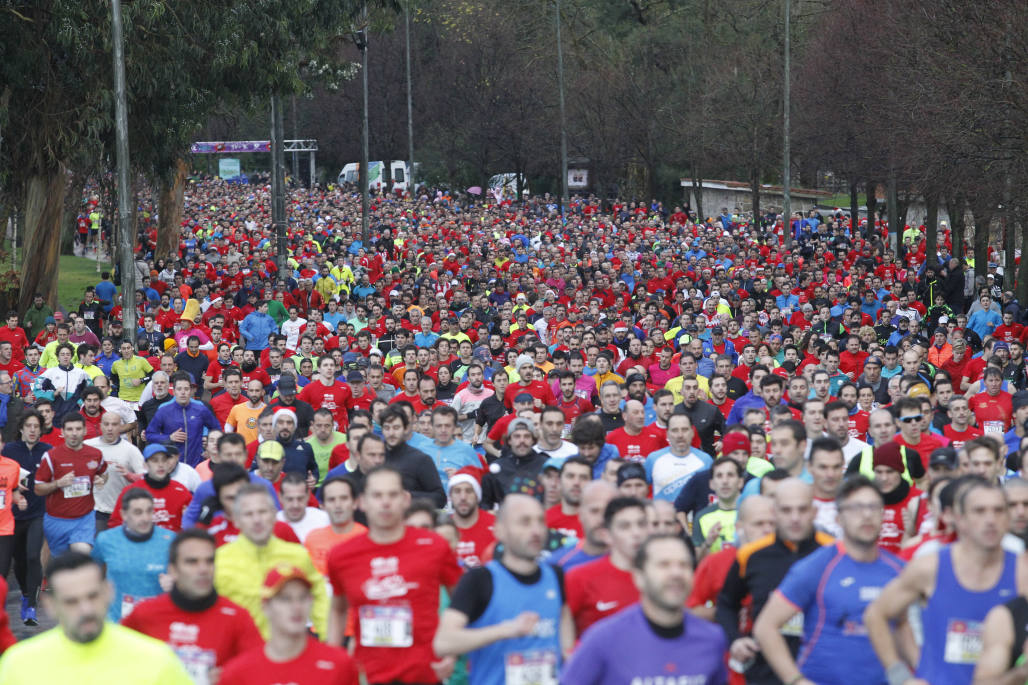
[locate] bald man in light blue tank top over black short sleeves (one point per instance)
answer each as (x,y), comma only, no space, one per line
(515,599)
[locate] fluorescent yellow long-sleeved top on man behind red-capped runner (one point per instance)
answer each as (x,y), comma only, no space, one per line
(240,569)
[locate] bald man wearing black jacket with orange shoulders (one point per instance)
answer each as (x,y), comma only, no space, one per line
(760,567)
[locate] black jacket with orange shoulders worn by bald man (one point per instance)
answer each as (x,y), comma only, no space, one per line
(758,570)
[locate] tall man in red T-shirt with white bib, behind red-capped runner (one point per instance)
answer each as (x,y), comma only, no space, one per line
(391,578)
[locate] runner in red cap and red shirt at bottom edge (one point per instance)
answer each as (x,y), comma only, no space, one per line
(292,655)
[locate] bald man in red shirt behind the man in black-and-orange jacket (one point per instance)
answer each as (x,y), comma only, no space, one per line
(755,520)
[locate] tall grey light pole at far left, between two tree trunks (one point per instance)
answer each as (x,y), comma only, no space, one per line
(126,233)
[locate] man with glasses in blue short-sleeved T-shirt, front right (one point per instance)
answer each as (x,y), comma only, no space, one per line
(831,589)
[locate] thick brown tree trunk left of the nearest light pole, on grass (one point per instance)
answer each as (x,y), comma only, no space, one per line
(44,211)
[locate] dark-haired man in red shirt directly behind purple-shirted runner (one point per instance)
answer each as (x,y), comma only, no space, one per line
(601,589)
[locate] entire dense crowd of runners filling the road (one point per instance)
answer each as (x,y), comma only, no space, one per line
(500,446)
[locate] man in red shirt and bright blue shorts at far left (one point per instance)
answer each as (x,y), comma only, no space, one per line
(67,477)
